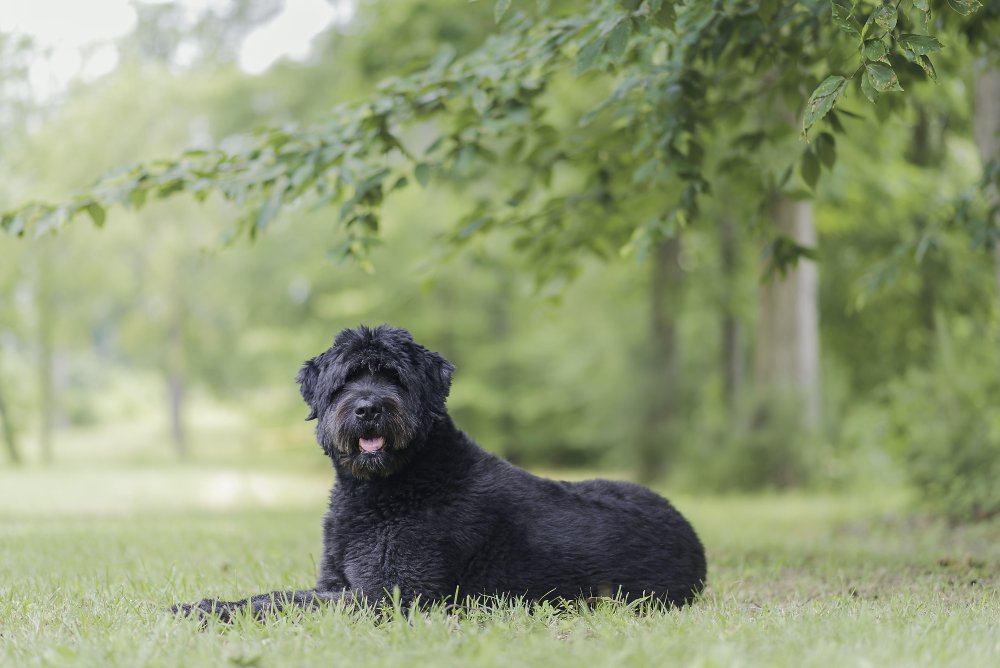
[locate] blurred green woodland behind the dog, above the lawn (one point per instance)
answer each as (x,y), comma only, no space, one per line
(678,286)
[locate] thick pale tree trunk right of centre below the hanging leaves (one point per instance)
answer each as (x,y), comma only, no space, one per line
(787,353)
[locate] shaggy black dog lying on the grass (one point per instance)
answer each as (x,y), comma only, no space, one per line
(420,507)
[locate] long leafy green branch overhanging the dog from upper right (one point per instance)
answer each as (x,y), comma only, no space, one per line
(672,76)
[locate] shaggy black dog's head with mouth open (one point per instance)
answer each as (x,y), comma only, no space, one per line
(376,394)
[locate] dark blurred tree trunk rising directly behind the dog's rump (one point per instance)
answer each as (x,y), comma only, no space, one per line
(665,292)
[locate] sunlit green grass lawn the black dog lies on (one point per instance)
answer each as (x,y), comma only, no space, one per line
(89,560)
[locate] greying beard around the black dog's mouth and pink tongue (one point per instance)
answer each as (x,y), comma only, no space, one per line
(371,448)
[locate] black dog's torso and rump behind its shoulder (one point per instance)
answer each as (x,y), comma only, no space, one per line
(545,538)
